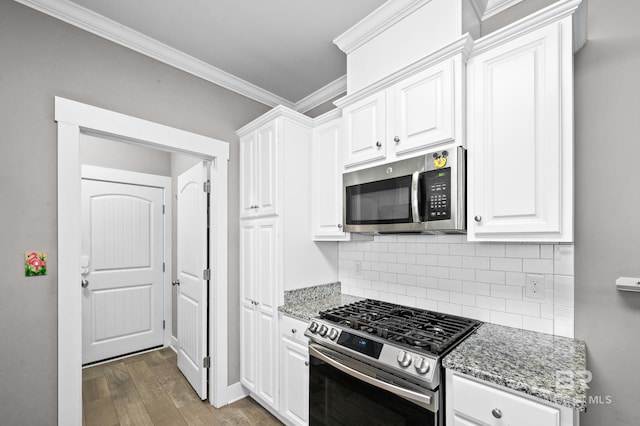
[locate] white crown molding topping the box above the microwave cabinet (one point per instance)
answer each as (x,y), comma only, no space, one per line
(376,22)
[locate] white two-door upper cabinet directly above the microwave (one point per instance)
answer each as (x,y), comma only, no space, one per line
(408,113)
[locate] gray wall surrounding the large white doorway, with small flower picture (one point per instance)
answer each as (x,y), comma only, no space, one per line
(42,58)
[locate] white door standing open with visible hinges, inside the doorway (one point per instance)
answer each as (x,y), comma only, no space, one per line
(192,291)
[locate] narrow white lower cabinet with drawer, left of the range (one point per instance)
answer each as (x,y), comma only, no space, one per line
(294,372)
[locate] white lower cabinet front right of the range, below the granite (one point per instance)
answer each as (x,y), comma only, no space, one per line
(474,402)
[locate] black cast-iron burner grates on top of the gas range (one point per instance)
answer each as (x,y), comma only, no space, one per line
(431,331)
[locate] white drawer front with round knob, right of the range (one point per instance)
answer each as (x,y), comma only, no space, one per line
(483,403)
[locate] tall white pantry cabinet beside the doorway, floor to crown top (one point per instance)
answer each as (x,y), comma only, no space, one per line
(277,252)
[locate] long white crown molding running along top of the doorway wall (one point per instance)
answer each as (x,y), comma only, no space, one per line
(106,28)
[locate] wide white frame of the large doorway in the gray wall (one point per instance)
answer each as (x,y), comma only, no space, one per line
(75,118)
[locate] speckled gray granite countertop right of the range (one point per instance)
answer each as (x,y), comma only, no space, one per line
(548,367)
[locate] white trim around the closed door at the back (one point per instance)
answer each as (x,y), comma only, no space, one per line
(163,182)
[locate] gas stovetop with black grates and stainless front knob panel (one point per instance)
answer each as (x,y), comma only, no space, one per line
(400,340)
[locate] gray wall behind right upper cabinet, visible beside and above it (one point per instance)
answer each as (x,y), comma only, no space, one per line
(607,129)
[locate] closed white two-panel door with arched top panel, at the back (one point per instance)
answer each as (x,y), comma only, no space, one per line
(122,261)
